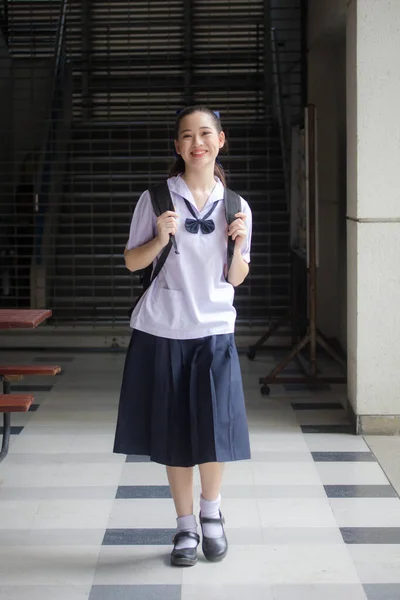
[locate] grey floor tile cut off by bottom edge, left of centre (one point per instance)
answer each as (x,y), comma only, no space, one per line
(135,592)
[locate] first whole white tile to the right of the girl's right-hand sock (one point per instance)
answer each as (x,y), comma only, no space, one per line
(296,512)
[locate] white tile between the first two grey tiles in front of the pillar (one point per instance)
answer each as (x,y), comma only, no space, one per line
(351,474)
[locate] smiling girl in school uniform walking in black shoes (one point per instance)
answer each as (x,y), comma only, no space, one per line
(181,398)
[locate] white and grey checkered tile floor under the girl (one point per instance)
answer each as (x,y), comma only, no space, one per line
(311,517)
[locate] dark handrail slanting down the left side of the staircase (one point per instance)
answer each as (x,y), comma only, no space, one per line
(59,45)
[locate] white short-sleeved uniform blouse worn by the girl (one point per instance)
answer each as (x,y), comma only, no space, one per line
(190,298)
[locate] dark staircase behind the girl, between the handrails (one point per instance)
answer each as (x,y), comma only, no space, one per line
(134,65)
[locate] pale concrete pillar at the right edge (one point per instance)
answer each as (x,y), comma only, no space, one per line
(373,213)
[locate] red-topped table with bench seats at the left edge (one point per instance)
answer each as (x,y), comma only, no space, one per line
(17,402)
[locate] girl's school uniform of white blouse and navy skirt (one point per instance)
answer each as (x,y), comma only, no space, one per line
(182,399)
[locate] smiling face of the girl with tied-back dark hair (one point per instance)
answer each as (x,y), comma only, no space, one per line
(199,142)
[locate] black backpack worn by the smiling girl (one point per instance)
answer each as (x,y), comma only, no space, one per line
(161,201)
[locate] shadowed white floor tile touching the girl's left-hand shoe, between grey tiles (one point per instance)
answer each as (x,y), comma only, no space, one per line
(136,565)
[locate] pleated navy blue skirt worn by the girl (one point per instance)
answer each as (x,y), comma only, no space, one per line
(182,401)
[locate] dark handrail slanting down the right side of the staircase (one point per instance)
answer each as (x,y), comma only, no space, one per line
(283,131)
